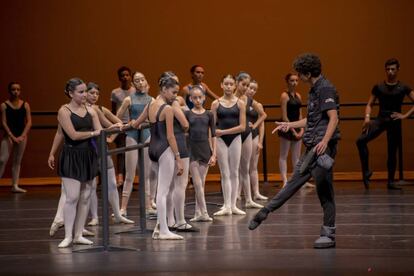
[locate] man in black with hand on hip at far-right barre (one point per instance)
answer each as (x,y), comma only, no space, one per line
(390,95)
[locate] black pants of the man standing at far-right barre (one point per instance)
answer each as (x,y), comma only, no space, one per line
(376,127)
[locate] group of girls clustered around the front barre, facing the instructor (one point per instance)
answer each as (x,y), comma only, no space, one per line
(170,156)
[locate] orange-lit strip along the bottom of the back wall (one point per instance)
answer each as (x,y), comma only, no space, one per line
(272,177)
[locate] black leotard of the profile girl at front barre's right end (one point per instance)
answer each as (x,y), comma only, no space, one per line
(158,142)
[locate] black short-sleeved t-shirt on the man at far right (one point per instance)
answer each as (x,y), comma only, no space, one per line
(390,97)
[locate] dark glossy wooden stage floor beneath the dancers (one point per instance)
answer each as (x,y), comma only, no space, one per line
(375,233)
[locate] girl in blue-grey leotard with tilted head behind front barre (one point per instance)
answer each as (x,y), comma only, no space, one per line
(135,104)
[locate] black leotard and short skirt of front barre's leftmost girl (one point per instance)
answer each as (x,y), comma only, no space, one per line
(78,159)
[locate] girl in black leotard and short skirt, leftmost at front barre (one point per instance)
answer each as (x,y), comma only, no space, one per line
(78,161)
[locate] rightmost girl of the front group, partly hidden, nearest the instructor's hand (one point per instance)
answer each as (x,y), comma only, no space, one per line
(256,123)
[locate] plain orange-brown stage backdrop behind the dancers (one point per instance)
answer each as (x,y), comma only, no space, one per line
(46,42)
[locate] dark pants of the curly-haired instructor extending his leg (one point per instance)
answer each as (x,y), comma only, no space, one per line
(324,187)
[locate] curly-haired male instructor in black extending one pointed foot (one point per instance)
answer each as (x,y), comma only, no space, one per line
(320,138)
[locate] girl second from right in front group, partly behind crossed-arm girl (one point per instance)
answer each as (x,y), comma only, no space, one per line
(242,84)
